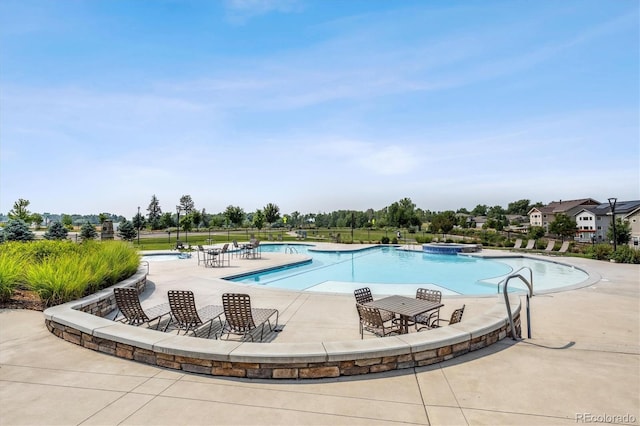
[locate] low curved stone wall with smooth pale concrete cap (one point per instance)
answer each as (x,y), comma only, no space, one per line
(187,354)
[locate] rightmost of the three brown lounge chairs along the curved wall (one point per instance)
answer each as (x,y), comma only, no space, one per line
(241,319)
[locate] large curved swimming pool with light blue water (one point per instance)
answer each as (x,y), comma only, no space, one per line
(388,270)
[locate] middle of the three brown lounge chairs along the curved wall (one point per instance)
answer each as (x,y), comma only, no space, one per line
(185,316)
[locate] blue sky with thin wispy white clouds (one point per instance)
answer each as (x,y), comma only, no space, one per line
(316,105)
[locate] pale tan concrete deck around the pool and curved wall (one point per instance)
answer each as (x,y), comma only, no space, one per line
(581,362)
